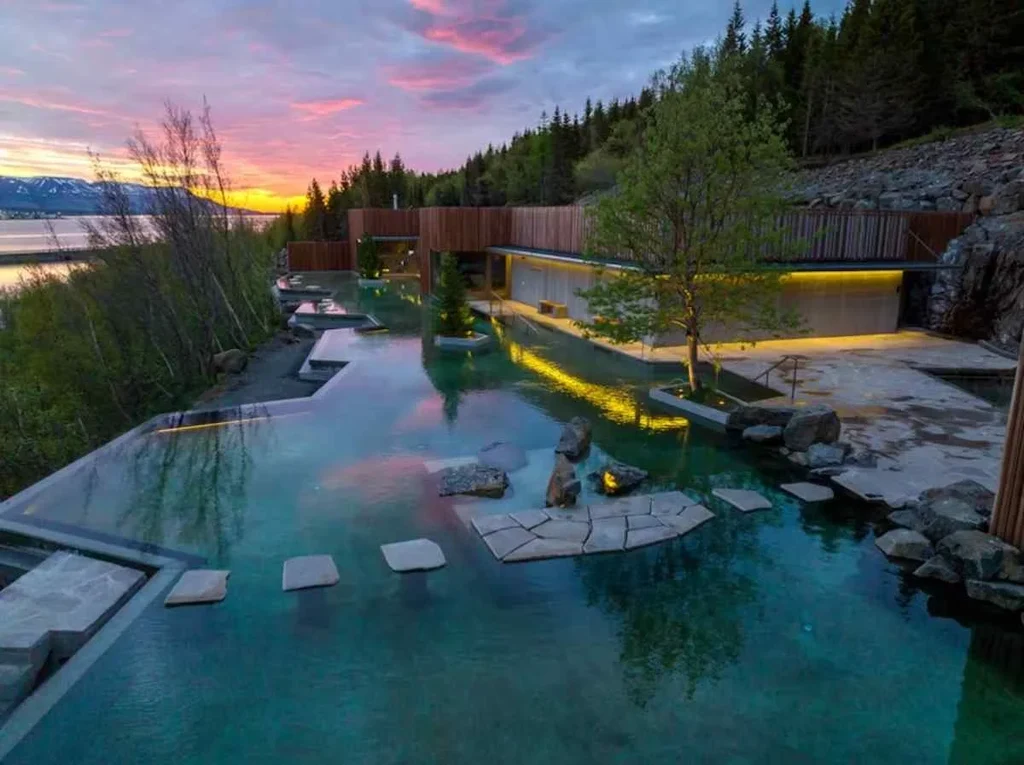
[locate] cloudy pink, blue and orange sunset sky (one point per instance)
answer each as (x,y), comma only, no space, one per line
(301,90)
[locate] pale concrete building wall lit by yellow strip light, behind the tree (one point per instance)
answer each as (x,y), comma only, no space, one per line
(832,304)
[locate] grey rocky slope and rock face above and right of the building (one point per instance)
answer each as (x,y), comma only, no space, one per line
(982,174)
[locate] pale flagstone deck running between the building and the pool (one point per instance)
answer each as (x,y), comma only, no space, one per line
(927,432)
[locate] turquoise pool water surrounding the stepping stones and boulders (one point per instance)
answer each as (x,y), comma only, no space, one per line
(777,637)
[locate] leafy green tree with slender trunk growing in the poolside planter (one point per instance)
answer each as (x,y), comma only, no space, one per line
(696,207)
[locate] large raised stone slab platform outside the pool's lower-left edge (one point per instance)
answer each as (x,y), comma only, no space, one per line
(60,605)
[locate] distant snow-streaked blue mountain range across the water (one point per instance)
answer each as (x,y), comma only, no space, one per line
(52,196)
